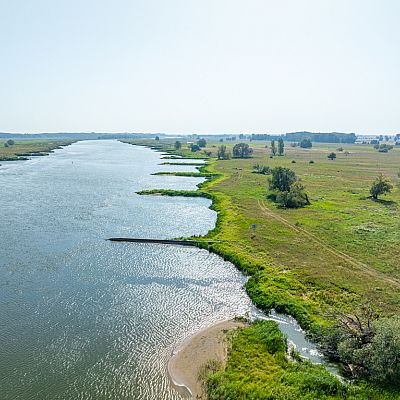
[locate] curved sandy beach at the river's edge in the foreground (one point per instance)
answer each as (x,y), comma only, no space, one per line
(208,344)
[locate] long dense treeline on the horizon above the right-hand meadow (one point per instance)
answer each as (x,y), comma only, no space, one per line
(331,137)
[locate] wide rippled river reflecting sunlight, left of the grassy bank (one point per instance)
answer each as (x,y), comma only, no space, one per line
(84,318)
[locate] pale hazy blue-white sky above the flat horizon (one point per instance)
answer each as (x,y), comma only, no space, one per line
(200,66)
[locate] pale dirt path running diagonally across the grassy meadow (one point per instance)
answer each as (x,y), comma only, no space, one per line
(346,257)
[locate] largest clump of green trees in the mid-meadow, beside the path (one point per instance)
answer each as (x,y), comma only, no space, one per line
(286,190)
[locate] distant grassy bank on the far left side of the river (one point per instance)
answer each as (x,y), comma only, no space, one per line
(22,149)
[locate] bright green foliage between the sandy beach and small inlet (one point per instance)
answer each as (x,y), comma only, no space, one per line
(258,369)
